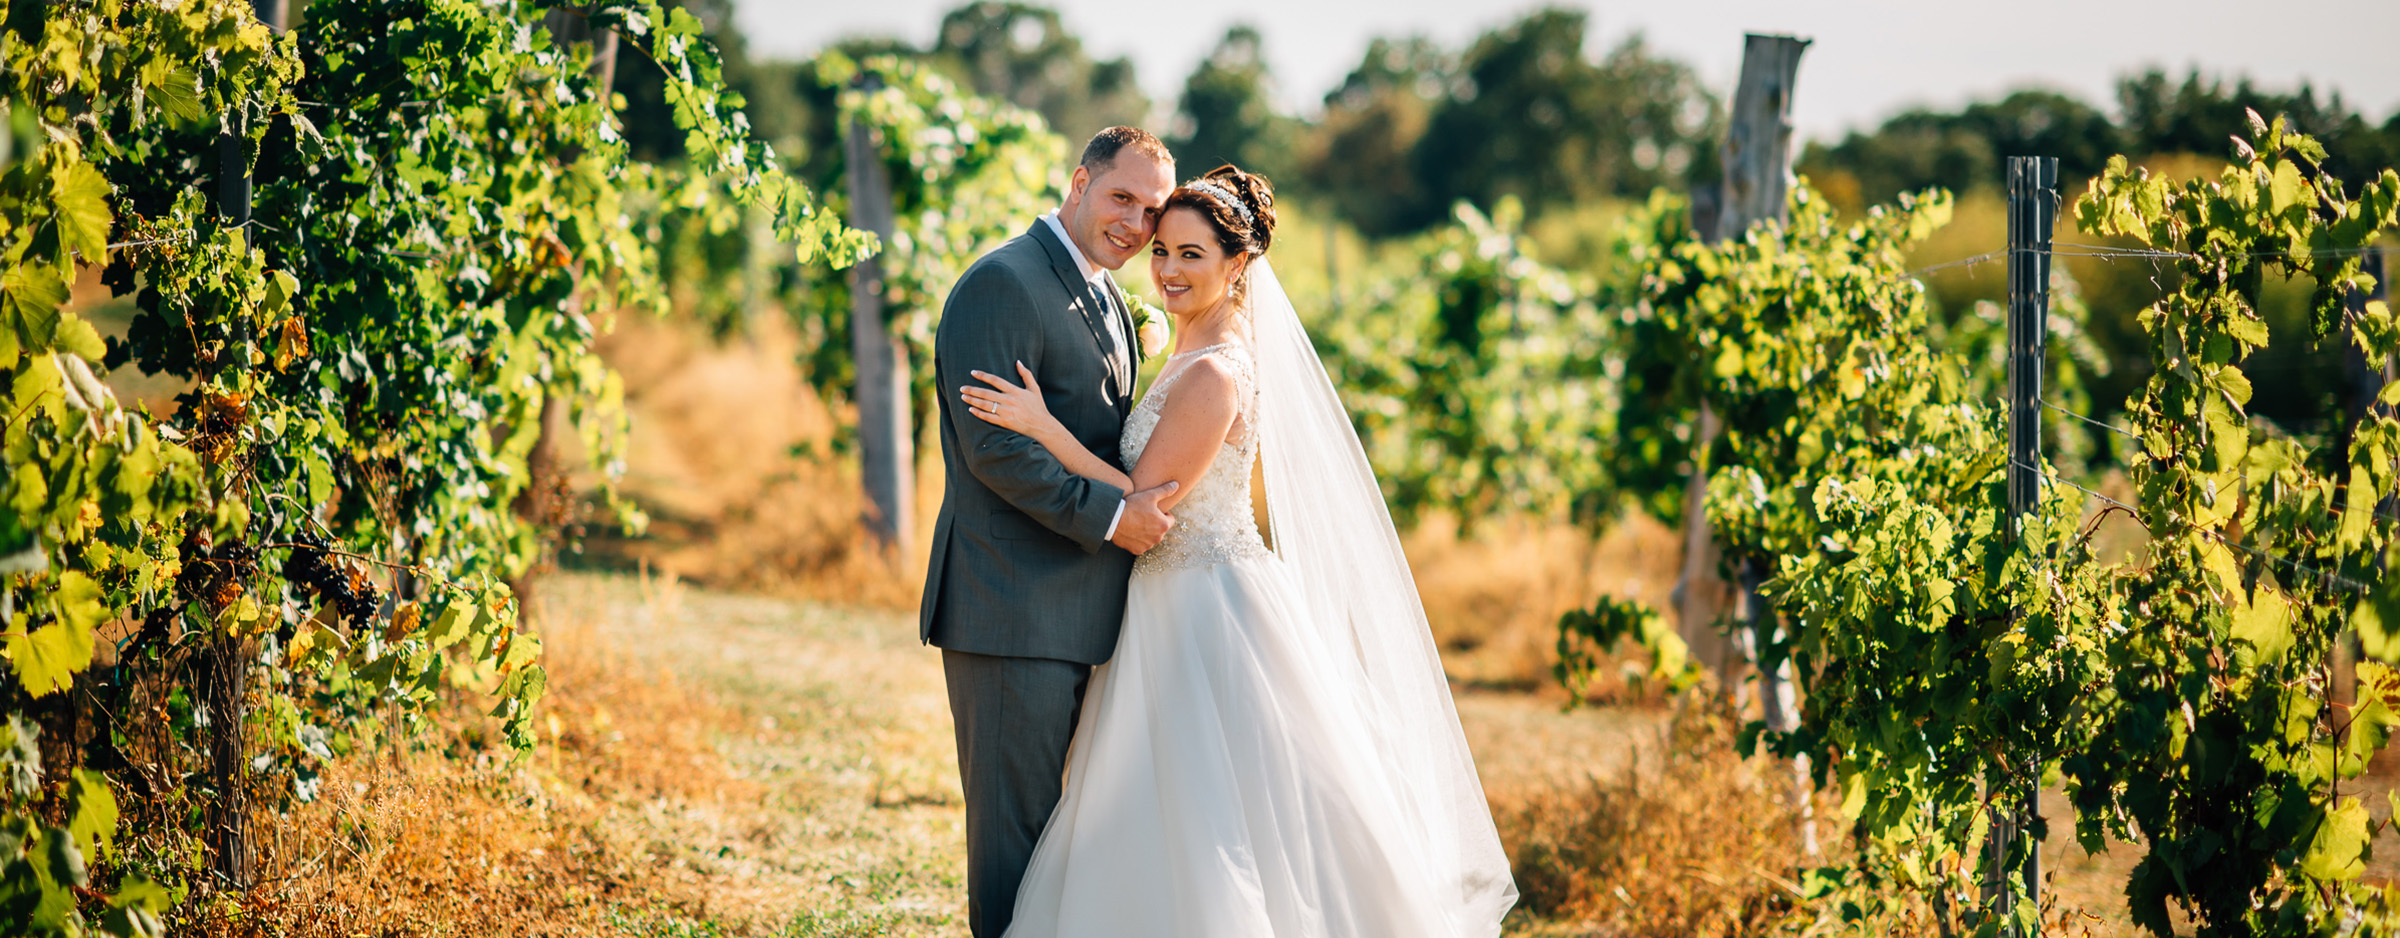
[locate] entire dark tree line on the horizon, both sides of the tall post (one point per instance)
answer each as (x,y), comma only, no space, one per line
(1520,112)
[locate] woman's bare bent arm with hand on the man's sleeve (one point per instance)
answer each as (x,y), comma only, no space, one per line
(1192,428)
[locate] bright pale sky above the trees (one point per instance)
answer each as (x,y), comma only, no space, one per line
(1871,59)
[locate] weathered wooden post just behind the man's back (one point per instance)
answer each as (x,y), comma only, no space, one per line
(887,455)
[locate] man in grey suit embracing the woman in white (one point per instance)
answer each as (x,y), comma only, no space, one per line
(1031,563)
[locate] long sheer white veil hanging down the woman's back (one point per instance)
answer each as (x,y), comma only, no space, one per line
(1328,522)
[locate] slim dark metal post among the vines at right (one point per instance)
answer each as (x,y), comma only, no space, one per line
(2034,215)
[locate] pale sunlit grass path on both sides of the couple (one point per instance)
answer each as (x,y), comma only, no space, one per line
(841,807)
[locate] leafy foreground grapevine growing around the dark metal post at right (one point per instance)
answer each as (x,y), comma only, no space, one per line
(1955,656)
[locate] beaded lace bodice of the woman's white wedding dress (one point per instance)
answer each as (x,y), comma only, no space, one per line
(1216,522)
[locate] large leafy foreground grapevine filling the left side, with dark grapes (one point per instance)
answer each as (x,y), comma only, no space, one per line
(443,220)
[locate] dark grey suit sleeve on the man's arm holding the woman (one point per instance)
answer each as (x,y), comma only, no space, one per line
(990,325)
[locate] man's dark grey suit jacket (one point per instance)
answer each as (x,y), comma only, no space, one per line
(1021,558)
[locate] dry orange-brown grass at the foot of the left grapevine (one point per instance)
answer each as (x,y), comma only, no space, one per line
(455,836)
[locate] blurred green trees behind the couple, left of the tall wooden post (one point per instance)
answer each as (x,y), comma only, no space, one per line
(1412,128)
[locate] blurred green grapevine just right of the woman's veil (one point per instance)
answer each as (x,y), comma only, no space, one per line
(1482,380)
